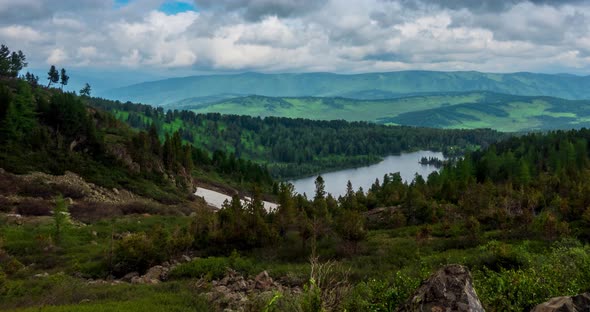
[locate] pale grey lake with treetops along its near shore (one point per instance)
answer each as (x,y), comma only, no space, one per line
(407,164)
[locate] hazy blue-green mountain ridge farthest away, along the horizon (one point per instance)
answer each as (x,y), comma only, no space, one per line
(357,86)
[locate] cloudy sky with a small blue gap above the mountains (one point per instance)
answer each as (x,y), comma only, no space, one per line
(165,38)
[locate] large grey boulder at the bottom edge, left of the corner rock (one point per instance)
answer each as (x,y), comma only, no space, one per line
(449,289)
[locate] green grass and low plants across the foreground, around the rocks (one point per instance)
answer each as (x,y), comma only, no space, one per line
(388,266)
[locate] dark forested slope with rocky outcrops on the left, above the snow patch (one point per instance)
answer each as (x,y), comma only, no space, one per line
(51,131)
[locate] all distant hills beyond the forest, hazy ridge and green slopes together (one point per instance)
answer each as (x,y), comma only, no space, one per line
(506,102)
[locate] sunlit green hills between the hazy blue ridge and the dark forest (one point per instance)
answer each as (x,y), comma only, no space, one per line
(446,110)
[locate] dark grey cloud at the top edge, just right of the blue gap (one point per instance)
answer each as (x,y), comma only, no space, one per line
(257,9)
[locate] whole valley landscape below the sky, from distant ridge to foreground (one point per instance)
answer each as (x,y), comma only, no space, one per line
(312,192)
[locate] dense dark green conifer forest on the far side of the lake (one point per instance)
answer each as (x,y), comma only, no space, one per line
(297,147)
